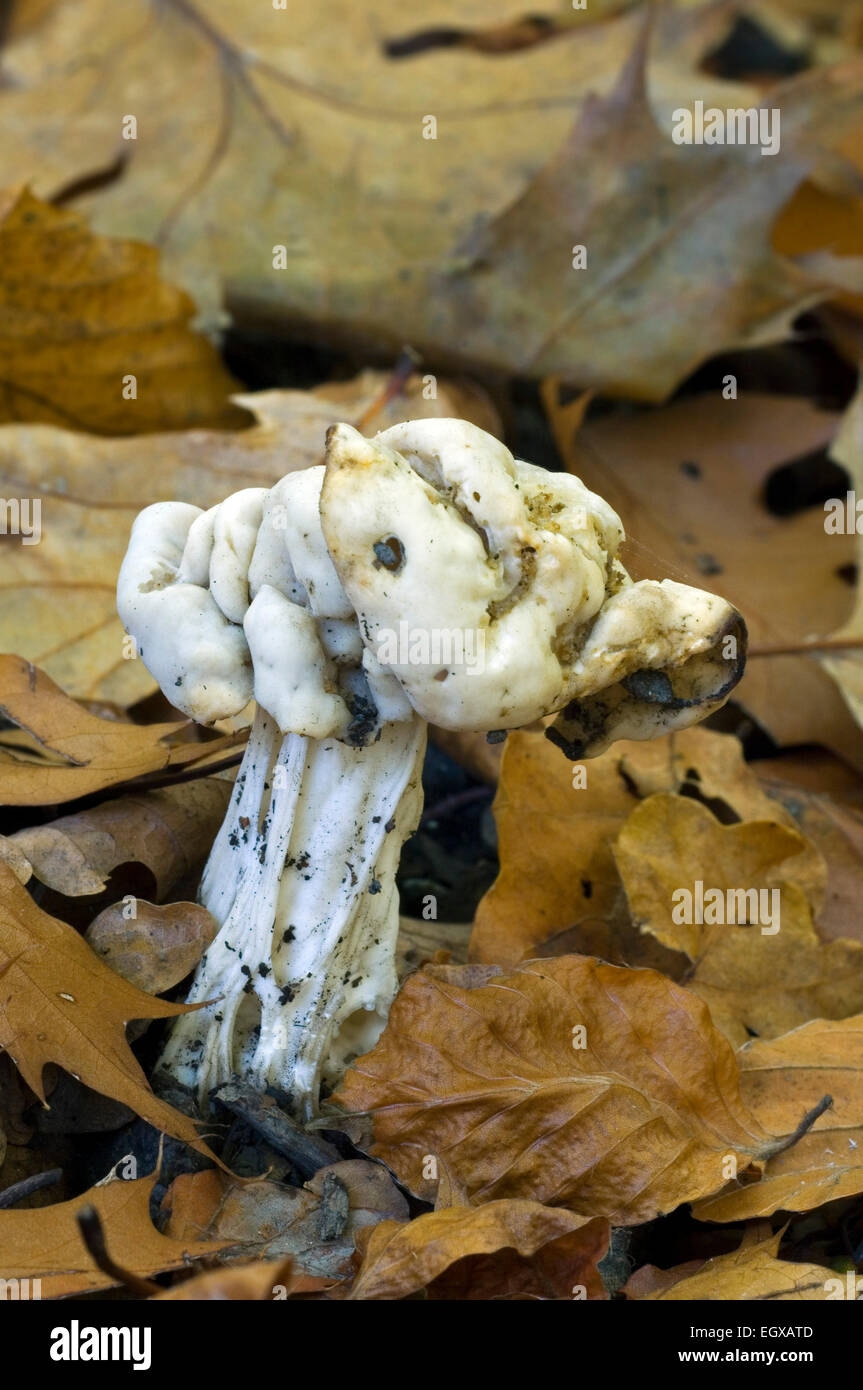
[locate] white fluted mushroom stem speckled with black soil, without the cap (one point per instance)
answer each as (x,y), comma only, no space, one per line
(302,879)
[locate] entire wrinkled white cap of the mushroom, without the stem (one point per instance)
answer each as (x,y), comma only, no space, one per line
(425,571)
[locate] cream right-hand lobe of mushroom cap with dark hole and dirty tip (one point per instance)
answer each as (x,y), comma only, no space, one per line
(440,536)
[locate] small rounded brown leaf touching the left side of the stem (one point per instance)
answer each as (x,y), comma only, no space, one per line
(159,947)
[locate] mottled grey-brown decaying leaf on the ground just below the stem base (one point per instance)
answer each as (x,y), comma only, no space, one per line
(273,1221)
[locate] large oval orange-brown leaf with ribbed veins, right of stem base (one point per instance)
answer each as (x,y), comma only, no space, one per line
(568,1082)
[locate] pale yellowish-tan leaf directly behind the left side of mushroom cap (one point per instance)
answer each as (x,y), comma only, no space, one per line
(91,490)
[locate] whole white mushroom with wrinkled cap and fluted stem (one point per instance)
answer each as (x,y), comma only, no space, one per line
(425,575)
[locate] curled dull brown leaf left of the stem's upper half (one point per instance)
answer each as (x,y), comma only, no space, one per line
(169,832)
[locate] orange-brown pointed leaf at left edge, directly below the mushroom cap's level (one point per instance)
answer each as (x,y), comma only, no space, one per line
(72,753)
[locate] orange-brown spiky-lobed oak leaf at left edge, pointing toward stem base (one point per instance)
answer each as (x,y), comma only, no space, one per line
(60,1004)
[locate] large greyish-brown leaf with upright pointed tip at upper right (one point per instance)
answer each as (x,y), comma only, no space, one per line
(683,276)
